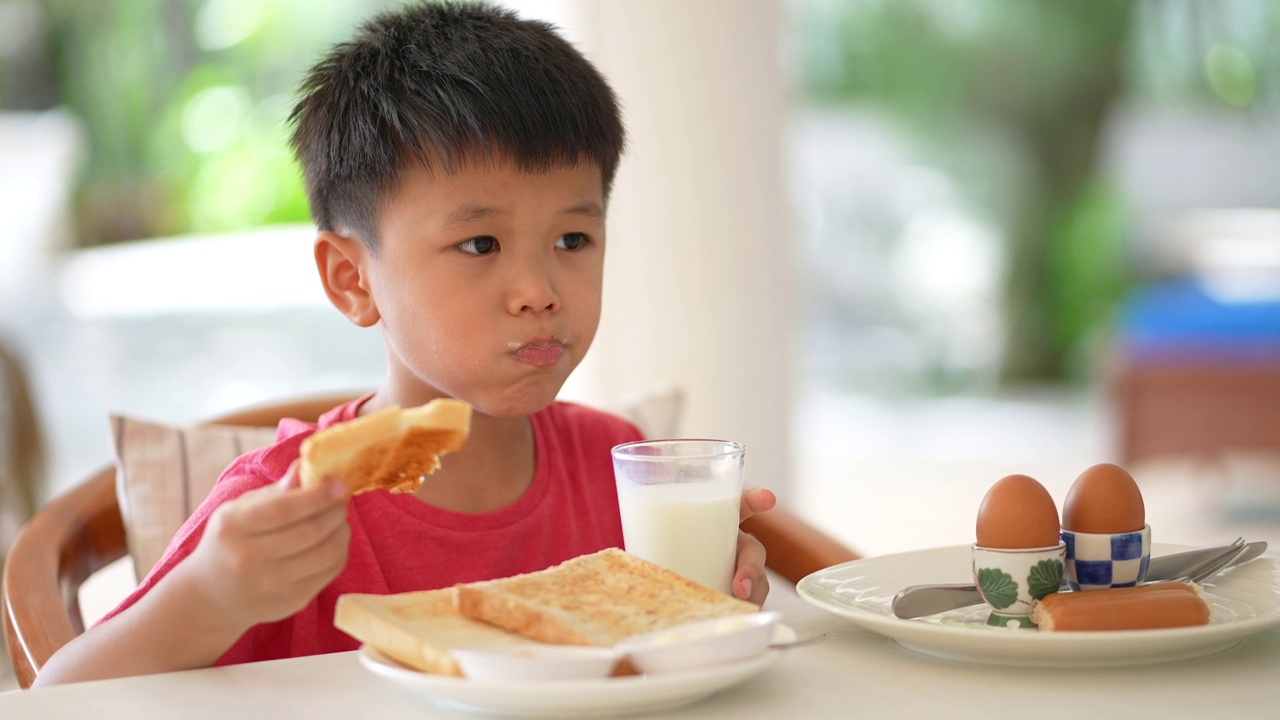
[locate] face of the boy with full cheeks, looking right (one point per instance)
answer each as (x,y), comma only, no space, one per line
(487,282)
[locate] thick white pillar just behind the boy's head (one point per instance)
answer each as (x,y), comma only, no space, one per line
(700,271)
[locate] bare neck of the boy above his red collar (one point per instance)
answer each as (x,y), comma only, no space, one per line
(491,472)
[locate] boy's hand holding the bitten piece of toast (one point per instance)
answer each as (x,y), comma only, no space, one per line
(268,553)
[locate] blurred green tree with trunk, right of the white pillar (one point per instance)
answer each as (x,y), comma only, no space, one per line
(1037,80)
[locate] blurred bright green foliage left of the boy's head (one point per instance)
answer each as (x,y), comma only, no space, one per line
(182,104)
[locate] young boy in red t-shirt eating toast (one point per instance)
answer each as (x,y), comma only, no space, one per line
(458,162)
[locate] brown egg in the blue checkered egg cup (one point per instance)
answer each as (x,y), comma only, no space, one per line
(1104,499)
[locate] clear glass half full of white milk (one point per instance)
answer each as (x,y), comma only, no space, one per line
(680,505)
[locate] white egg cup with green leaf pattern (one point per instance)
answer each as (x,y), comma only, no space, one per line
(1012,580)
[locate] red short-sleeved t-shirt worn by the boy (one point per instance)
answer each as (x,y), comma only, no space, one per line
(400,544)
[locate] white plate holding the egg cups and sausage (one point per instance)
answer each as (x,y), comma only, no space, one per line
(1246,600)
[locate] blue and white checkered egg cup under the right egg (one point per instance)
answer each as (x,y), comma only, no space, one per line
(1107,560)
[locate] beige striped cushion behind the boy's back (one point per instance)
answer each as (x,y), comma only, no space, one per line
(166,472)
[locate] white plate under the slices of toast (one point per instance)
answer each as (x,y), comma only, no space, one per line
(566,699)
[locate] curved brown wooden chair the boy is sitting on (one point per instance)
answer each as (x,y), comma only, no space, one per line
(81,532)
